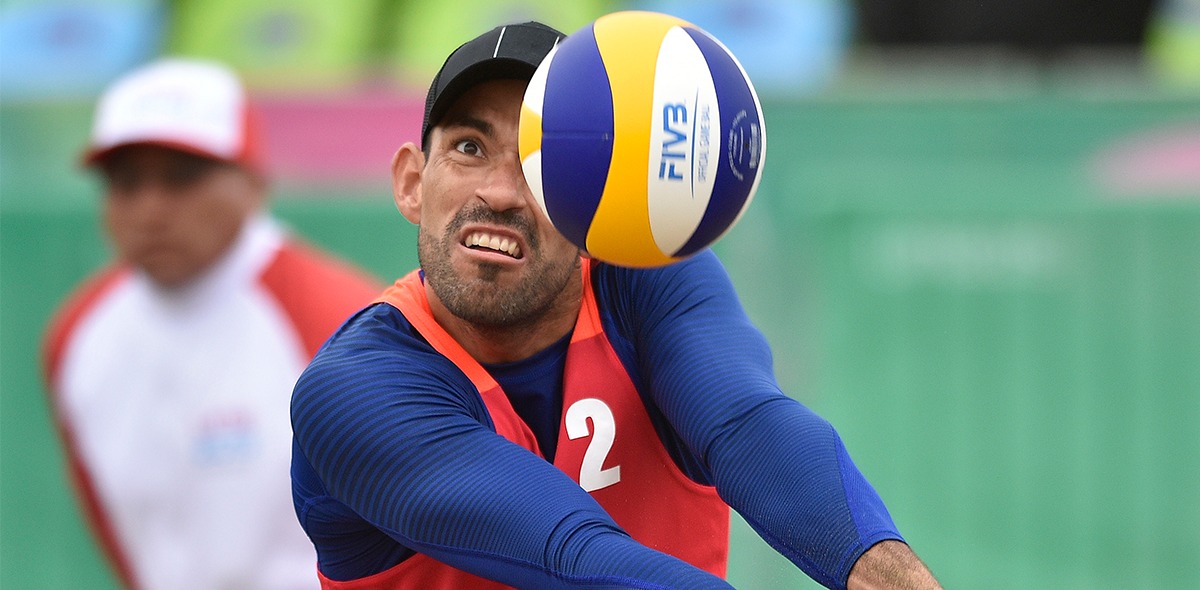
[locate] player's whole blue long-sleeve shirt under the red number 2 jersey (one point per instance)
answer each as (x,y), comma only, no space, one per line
(395,451)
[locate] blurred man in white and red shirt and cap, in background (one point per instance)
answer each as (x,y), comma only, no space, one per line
(172,369)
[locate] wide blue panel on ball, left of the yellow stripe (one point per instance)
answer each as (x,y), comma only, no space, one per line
(577,142)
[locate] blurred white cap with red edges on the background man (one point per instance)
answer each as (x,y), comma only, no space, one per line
(194,106)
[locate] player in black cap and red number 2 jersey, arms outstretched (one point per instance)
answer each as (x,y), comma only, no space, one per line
(514,414)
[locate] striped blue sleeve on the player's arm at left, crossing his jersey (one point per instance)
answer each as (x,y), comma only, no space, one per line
(393,441)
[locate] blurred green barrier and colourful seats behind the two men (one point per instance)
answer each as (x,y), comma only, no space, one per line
(980,261)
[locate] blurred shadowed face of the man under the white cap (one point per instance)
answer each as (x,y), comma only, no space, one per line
(173,214)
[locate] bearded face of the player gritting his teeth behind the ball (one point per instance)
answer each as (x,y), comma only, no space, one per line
(489,252)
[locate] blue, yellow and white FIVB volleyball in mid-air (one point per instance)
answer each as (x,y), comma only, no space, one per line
(643,139)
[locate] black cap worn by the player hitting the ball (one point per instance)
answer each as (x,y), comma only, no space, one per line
(508,52)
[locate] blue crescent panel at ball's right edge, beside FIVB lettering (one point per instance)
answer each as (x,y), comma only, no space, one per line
(741,150)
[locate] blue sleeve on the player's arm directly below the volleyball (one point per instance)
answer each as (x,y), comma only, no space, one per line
(709,370)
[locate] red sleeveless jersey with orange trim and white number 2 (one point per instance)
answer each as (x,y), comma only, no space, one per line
(607,444)
